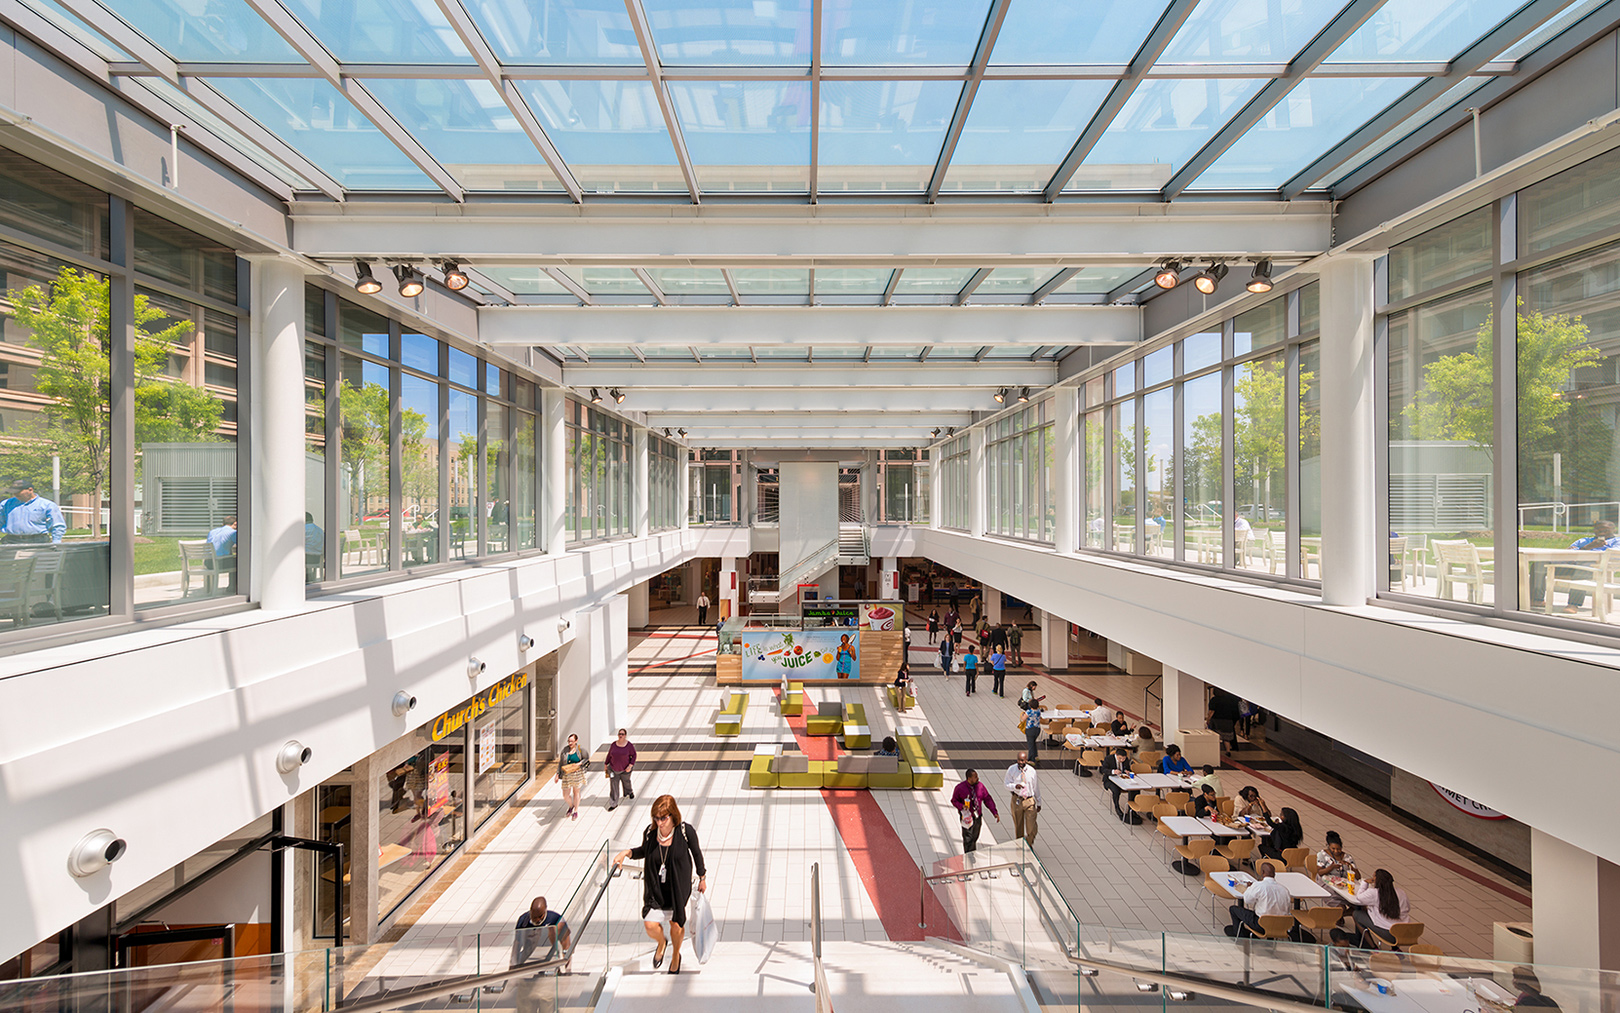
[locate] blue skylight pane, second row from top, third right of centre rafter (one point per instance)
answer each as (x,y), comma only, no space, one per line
(1161,127)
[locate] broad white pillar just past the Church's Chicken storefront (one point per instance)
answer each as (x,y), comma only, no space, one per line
(594,673)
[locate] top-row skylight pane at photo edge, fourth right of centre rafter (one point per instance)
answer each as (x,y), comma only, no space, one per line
(1423,32)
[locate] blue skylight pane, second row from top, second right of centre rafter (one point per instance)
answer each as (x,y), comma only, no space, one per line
(1018,132)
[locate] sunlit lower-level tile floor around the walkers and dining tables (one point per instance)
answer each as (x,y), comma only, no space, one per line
(761,845)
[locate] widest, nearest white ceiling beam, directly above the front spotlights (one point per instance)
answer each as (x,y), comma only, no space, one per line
(824,236)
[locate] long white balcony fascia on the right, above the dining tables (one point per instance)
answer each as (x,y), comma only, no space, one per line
(1459,704)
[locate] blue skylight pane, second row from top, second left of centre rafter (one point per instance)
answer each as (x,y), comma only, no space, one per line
(612,134)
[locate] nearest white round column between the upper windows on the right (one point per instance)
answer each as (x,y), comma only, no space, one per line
(1349,484)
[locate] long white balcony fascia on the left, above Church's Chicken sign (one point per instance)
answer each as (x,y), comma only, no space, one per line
(169,737)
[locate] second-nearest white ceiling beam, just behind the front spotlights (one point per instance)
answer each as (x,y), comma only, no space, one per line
(743,327)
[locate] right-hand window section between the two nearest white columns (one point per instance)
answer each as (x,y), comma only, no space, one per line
(1164,443)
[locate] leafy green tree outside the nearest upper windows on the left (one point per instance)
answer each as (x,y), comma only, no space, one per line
(70,323)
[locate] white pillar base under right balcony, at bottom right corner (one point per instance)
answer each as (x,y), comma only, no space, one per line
(1575,905)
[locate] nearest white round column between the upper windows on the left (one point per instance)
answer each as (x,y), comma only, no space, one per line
(278,437)
